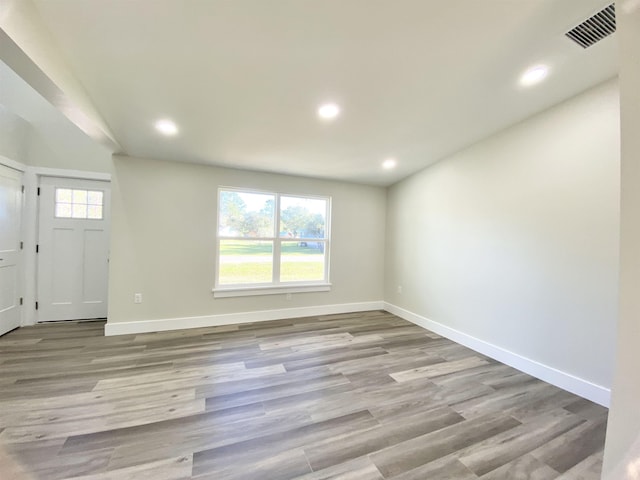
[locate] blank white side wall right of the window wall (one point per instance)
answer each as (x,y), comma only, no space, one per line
(514,241)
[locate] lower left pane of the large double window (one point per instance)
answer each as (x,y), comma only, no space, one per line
(245,261)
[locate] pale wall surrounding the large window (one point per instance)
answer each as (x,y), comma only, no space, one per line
(163,232)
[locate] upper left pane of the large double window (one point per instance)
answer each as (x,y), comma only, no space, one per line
(246,214)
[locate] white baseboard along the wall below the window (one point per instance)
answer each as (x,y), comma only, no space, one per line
(144,326)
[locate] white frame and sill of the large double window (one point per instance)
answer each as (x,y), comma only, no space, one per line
(275,286)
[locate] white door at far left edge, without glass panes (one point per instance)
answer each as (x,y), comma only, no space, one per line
(10,217)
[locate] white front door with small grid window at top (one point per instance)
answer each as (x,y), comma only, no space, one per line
(73,249)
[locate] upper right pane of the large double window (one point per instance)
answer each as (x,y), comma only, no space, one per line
(302,217)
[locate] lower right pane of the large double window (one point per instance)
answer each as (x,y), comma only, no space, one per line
(302,261)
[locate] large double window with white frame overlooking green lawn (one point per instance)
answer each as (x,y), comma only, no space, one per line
(271,242)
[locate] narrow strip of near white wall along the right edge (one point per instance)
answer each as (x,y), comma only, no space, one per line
(622,449)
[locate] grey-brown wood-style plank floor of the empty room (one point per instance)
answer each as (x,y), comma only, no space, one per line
(364,396)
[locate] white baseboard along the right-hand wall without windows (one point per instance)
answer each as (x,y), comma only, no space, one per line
(566,381)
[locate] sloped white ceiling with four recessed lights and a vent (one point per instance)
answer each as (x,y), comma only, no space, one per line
(416,79)
